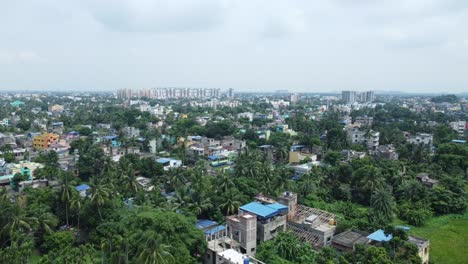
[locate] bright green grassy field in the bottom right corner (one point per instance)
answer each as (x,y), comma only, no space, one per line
(448,236)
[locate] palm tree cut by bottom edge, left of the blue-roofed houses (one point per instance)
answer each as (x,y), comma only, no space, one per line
(152,251)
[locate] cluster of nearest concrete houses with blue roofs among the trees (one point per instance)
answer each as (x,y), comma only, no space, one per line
(237,240)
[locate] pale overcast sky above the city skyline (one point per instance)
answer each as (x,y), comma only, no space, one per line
(248,45)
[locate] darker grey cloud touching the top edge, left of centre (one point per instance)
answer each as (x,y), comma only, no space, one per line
(157,15)
